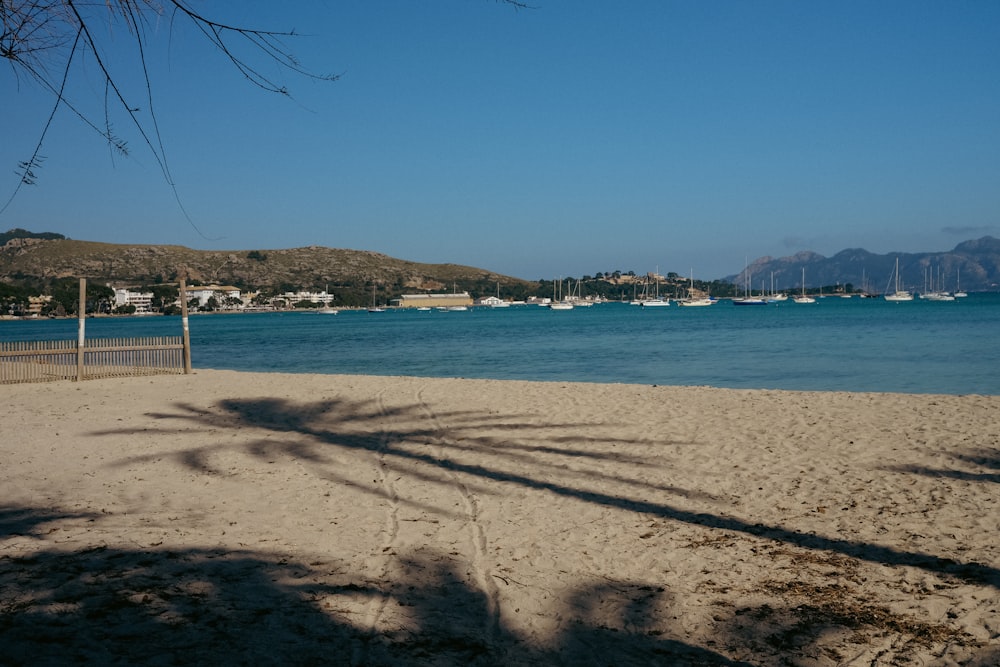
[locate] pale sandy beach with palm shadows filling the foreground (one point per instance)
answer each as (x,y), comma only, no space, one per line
(244,518)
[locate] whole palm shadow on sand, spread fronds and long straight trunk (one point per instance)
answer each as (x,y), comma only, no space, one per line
(405,436)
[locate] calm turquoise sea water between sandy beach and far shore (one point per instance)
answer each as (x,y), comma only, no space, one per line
(834,345)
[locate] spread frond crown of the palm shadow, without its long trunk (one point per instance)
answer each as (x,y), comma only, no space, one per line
(398,434)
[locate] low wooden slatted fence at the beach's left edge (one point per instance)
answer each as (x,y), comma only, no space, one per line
(44,361)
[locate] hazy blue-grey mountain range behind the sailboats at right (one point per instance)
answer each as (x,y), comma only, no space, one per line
(975,263)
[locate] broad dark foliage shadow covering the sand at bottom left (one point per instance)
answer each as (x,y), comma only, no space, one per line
(173,607)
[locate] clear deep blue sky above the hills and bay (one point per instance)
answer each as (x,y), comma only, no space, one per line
(574,137)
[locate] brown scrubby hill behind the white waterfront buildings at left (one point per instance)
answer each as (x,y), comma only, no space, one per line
(352,274)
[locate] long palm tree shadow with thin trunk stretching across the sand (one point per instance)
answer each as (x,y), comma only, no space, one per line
(335,423)
